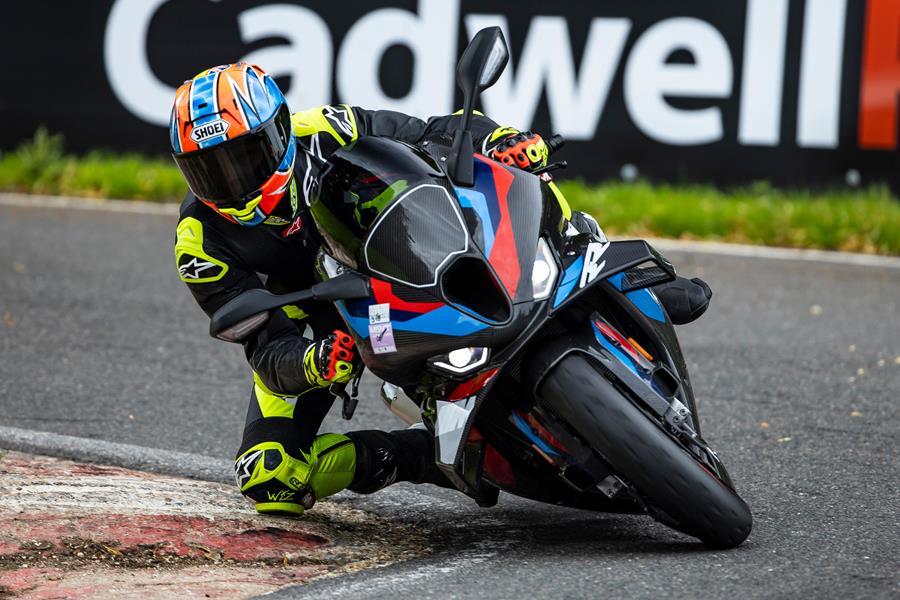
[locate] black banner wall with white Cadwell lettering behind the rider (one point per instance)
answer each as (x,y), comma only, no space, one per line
(792,91)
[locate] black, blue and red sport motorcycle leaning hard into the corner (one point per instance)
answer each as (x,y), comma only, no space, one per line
(534,352)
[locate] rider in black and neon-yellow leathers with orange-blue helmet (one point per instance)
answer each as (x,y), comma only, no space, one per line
(251,166)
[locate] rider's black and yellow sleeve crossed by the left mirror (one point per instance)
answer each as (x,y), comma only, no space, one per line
(215,275)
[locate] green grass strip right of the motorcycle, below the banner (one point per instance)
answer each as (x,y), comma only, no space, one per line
(859,221)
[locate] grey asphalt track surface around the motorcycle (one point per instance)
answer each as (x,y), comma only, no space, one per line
(796,367)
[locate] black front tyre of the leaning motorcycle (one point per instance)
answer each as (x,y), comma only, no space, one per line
(643,455)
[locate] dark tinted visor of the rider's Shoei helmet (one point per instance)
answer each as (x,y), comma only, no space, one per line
(229,172)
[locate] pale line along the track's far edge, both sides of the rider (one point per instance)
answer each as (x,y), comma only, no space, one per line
(664,245)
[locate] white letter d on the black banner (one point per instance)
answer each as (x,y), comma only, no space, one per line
(431,36)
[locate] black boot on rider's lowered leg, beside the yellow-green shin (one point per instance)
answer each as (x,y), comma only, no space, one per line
(383,458)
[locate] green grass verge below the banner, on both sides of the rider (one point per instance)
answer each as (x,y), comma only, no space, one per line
(860,221)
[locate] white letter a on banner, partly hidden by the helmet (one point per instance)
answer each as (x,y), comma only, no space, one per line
(306,58)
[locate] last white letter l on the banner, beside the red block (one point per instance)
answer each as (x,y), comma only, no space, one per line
(819,112)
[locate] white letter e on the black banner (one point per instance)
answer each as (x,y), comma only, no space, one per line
(649,79)
